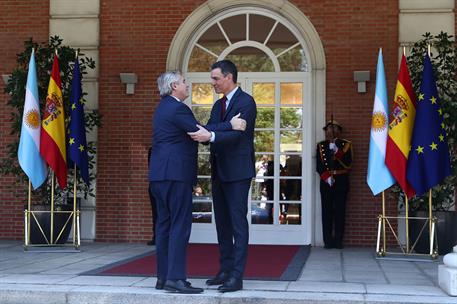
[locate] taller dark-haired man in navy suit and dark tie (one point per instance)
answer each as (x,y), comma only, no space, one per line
(233,167)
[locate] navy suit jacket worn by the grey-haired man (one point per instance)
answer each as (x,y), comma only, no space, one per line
(174,153)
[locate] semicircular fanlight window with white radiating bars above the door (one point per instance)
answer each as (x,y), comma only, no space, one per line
(254,42)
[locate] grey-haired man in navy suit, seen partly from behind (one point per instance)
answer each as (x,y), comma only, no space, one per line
(172,174)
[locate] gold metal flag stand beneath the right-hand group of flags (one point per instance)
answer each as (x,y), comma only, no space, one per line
(405,251)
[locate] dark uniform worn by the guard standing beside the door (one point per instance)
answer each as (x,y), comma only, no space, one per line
(336,165)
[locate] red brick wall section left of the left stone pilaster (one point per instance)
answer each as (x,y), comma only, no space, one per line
(19,20)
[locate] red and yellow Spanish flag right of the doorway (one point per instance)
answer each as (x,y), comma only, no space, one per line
(401,128)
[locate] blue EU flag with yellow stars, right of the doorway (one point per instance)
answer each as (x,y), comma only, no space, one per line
(428,162)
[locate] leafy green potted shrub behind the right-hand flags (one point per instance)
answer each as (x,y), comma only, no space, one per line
(444,60)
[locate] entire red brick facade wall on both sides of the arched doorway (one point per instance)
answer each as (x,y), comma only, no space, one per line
(135,37)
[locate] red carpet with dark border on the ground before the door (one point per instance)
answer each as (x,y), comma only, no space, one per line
(265,262)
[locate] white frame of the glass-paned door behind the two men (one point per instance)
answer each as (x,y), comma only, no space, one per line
(274,233)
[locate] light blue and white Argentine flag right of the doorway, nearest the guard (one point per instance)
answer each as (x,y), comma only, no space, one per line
(379,177)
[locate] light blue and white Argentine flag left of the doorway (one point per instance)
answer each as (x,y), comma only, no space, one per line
(28,154)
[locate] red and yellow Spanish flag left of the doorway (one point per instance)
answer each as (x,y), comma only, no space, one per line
(52,145)
